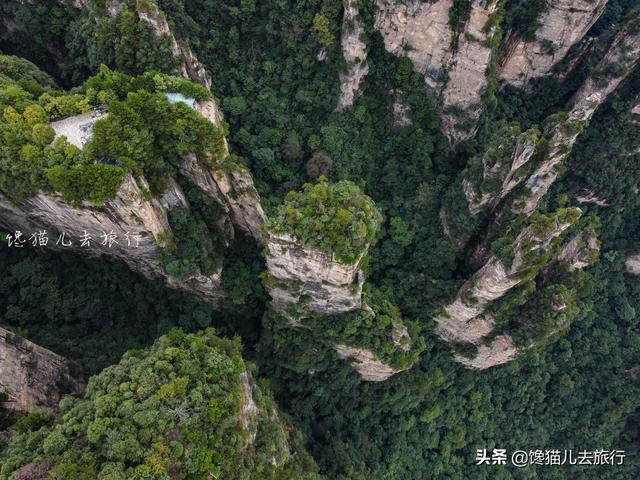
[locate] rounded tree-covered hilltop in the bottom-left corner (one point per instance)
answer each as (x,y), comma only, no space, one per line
(172,411)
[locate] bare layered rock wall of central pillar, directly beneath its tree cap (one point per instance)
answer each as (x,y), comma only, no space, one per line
(306,281)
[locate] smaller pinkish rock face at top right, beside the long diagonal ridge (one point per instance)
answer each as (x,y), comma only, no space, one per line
(562,25)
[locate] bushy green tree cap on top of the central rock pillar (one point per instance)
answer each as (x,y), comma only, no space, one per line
(335,218)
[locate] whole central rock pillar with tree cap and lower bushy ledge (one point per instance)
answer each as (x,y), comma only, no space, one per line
(313,285)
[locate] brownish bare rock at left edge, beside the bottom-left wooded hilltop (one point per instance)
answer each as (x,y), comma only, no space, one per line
(32,376)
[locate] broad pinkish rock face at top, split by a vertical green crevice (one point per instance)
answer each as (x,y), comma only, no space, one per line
(422,32)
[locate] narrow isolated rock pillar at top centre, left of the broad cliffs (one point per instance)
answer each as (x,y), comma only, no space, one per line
(354,52)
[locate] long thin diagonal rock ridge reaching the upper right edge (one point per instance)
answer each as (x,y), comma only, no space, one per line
(620,59)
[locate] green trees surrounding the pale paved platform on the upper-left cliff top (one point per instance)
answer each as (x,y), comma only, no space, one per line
(143,133)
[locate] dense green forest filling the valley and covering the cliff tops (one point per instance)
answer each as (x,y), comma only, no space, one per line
(575,390)
